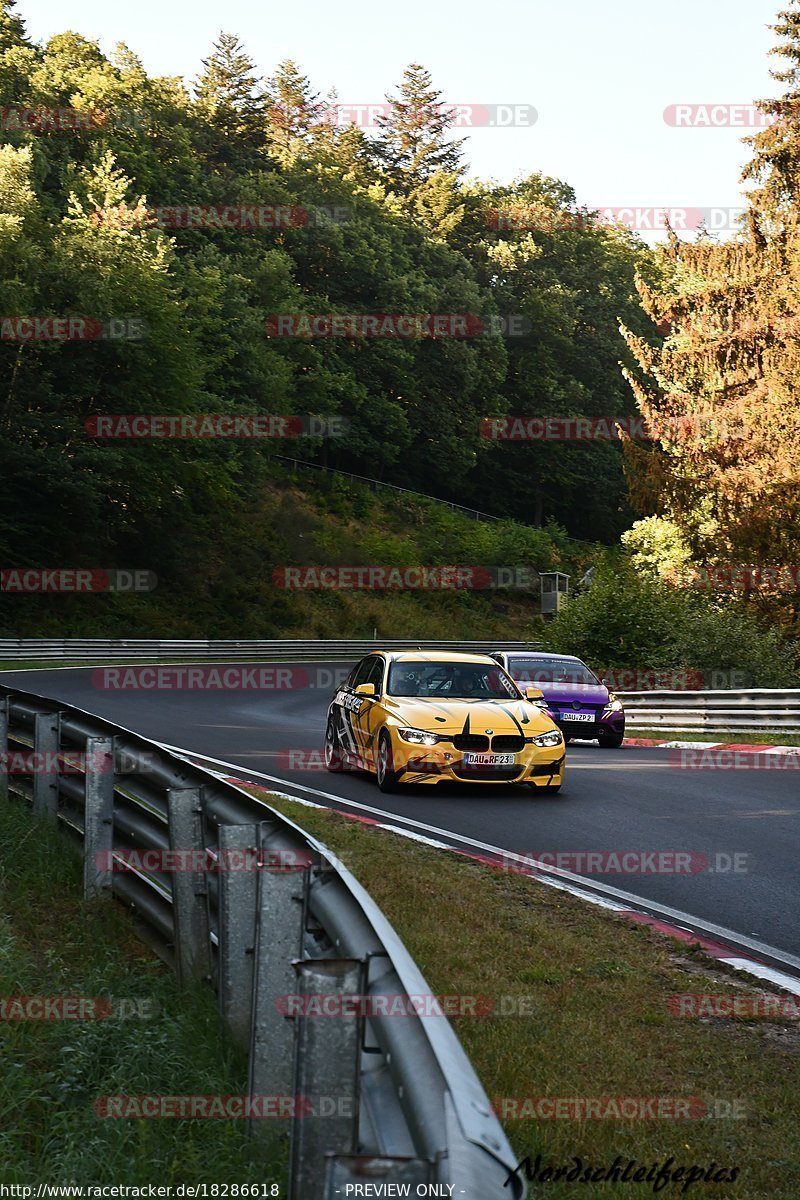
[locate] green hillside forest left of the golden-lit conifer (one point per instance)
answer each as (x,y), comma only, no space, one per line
(384,224)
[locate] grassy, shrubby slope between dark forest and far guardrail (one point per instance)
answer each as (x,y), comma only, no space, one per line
(323,523)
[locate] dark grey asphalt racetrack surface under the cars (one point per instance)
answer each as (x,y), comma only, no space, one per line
(613,801)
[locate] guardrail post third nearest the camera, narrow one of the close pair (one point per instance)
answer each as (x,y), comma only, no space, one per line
(237,931)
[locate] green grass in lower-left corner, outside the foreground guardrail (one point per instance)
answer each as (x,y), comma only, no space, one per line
(55,944)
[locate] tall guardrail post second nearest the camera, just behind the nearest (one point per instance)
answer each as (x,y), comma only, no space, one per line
(281,920)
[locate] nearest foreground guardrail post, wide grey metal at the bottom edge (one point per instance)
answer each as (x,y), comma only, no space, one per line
(328,1066)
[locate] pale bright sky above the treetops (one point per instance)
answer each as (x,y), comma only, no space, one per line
(600,77)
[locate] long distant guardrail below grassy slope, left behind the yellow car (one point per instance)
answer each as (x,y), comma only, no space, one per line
(76,650)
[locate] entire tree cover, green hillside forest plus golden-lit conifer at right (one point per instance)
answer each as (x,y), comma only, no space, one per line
(159,238)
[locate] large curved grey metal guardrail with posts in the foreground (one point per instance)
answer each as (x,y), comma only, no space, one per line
(410,1108)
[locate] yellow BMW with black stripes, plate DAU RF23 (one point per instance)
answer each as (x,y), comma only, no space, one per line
(420,718)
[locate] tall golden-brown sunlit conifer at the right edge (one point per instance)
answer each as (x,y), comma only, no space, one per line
(723,391)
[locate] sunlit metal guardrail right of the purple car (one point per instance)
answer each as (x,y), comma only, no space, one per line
(755,711)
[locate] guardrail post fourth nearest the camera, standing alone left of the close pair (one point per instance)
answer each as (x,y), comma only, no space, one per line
(190,895)
